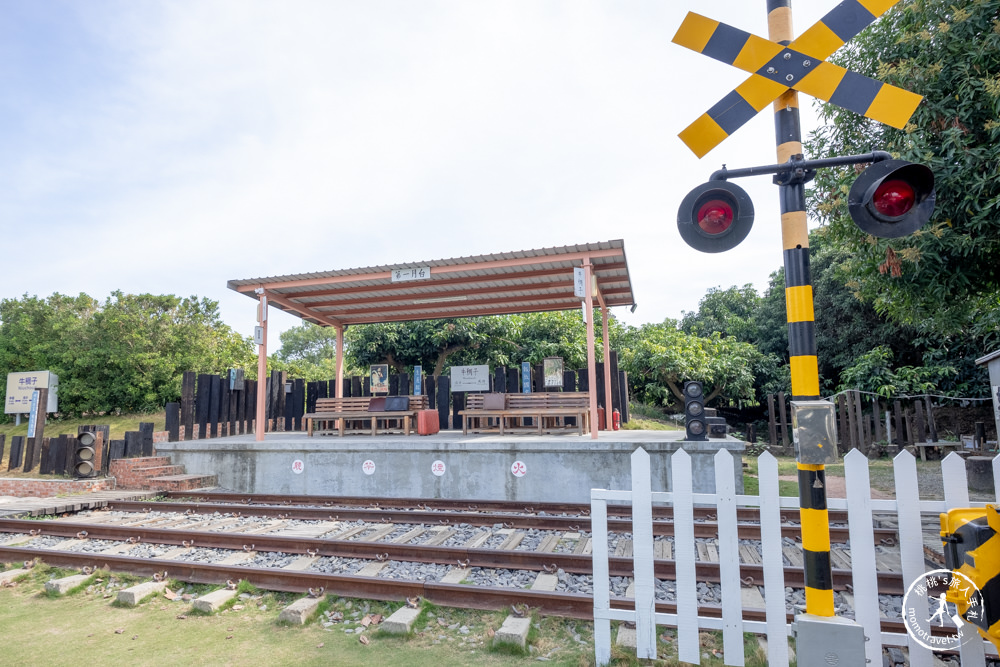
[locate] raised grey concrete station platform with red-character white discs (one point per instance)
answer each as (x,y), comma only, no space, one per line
(546,468)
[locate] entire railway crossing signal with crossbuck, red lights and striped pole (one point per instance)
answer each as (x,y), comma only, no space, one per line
(890,199)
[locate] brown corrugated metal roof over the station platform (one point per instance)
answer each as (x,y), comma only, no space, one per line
(523,281)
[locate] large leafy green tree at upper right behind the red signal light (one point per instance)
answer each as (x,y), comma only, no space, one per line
(946,277)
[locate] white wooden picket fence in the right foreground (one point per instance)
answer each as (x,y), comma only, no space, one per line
(688,623)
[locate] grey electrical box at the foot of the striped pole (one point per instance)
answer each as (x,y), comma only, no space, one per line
(822,641)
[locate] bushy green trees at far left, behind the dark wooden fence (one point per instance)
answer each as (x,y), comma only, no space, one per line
(126,354)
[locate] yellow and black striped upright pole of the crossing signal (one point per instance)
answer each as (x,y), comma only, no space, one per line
(801,329)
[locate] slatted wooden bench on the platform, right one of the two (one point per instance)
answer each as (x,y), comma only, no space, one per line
(548,411)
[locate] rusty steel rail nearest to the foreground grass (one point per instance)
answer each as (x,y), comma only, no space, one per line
(569,605)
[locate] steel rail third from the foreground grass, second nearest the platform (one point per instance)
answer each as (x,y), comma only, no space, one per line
(662,528)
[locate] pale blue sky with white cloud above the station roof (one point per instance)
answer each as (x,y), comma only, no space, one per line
(168,147)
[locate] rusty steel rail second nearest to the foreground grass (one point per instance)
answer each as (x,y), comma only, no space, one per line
(751,574)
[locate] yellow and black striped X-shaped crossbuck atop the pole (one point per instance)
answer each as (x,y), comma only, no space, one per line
(801,65)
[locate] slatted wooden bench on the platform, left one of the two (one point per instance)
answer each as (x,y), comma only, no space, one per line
(350,416)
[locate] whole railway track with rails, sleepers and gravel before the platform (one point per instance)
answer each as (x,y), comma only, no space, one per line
(457,553)
